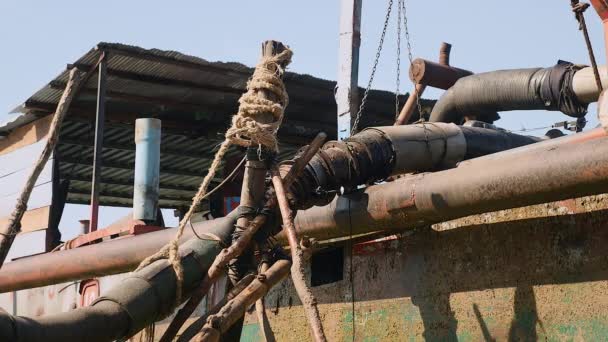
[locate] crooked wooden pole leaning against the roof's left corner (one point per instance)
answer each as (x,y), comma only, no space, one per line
(13,227)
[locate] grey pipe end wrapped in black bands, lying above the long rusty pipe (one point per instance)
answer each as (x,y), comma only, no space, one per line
(379,152)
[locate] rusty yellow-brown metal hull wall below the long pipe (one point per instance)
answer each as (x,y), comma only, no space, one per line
(522,274)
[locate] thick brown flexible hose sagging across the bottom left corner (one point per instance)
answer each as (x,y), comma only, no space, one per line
(140,299)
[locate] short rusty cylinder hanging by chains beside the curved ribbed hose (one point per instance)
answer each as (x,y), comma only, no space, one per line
(435,74)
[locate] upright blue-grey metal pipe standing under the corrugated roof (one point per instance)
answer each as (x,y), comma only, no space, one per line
(147,169)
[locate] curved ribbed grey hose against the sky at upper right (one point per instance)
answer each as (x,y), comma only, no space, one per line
(482,95)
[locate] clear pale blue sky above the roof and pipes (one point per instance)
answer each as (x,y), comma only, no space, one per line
(40,37)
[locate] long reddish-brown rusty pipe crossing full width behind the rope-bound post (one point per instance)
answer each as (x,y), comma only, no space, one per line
(530,173)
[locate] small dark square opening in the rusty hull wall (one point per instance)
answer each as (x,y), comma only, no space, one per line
(327,266)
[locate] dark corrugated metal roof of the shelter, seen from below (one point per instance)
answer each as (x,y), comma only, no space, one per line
(194,98)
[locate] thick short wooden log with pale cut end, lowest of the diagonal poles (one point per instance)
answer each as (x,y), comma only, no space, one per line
(236,307)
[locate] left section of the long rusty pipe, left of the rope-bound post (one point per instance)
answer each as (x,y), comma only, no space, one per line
(111,257)
